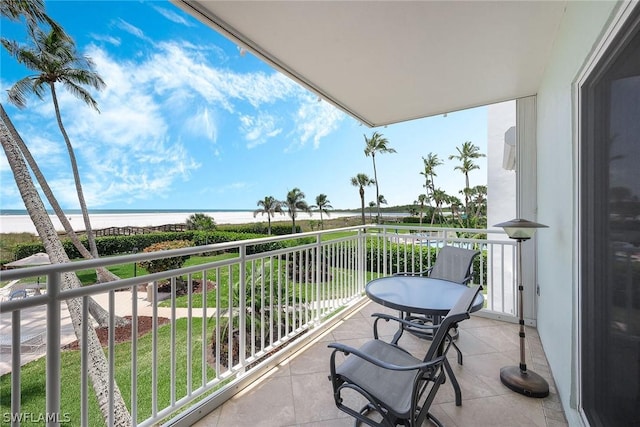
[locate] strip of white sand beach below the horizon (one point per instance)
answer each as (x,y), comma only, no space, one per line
(21,223)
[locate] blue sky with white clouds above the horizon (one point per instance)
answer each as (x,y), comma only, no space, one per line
(187,122)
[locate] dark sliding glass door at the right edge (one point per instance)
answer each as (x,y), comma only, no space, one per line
(610,234)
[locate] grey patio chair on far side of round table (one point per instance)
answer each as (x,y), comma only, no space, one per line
(453,264)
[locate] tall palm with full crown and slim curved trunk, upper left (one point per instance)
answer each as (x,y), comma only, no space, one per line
(53,56)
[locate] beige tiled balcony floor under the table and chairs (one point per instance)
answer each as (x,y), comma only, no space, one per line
(298,392)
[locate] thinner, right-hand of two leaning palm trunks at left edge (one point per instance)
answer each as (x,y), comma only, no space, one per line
(96,310)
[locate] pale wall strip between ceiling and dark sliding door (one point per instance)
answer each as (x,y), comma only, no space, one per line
(557,186)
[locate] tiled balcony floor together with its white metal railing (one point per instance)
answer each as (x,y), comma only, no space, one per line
(291,296)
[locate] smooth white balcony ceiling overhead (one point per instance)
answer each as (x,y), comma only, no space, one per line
(389,61)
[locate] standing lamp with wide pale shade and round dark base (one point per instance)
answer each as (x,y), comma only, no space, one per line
(518,378)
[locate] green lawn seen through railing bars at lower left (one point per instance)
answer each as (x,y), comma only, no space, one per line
(33,375)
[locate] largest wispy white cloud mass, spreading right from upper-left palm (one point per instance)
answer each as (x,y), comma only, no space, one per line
(134,150)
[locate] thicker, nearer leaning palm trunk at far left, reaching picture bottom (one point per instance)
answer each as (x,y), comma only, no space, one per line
(98,366)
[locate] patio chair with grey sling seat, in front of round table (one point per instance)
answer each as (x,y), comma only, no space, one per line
(395,384)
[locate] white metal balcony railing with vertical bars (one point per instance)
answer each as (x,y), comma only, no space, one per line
(260,300)
